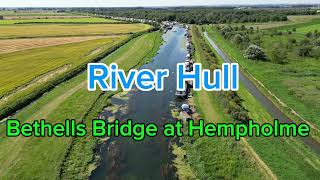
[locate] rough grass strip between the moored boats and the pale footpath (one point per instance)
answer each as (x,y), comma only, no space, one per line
(210,110)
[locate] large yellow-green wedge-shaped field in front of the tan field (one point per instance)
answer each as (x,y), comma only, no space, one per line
(16,72)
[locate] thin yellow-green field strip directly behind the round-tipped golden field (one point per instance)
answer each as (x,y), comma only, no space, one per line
(55,19)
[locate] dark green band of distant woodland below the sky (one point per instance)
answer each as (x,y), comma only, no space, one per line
(202,15)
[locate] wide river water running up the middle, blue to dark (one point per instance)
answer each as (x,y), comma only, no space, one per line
(124,158)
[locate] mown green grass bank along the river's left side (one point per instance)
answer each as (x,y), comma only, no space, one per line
(23,157)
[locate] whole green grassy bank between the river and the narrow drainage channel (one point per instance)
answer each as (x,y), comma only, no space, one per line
(284,158)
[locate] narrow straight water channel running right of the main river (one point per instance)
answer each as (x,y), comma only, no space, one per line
(265,101)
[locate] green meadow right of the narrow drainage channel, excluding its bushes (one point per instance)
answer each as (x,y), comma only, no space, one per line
(295,83)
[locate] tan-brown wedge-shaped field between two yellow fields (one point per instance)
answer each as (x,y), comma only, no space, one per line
(13,45)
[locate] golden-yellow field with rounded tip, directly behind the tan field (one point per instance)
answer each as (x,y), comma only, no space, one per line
(52,30)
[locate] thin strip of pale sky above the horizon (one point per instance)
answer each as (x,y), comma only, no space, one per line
(134,3)
